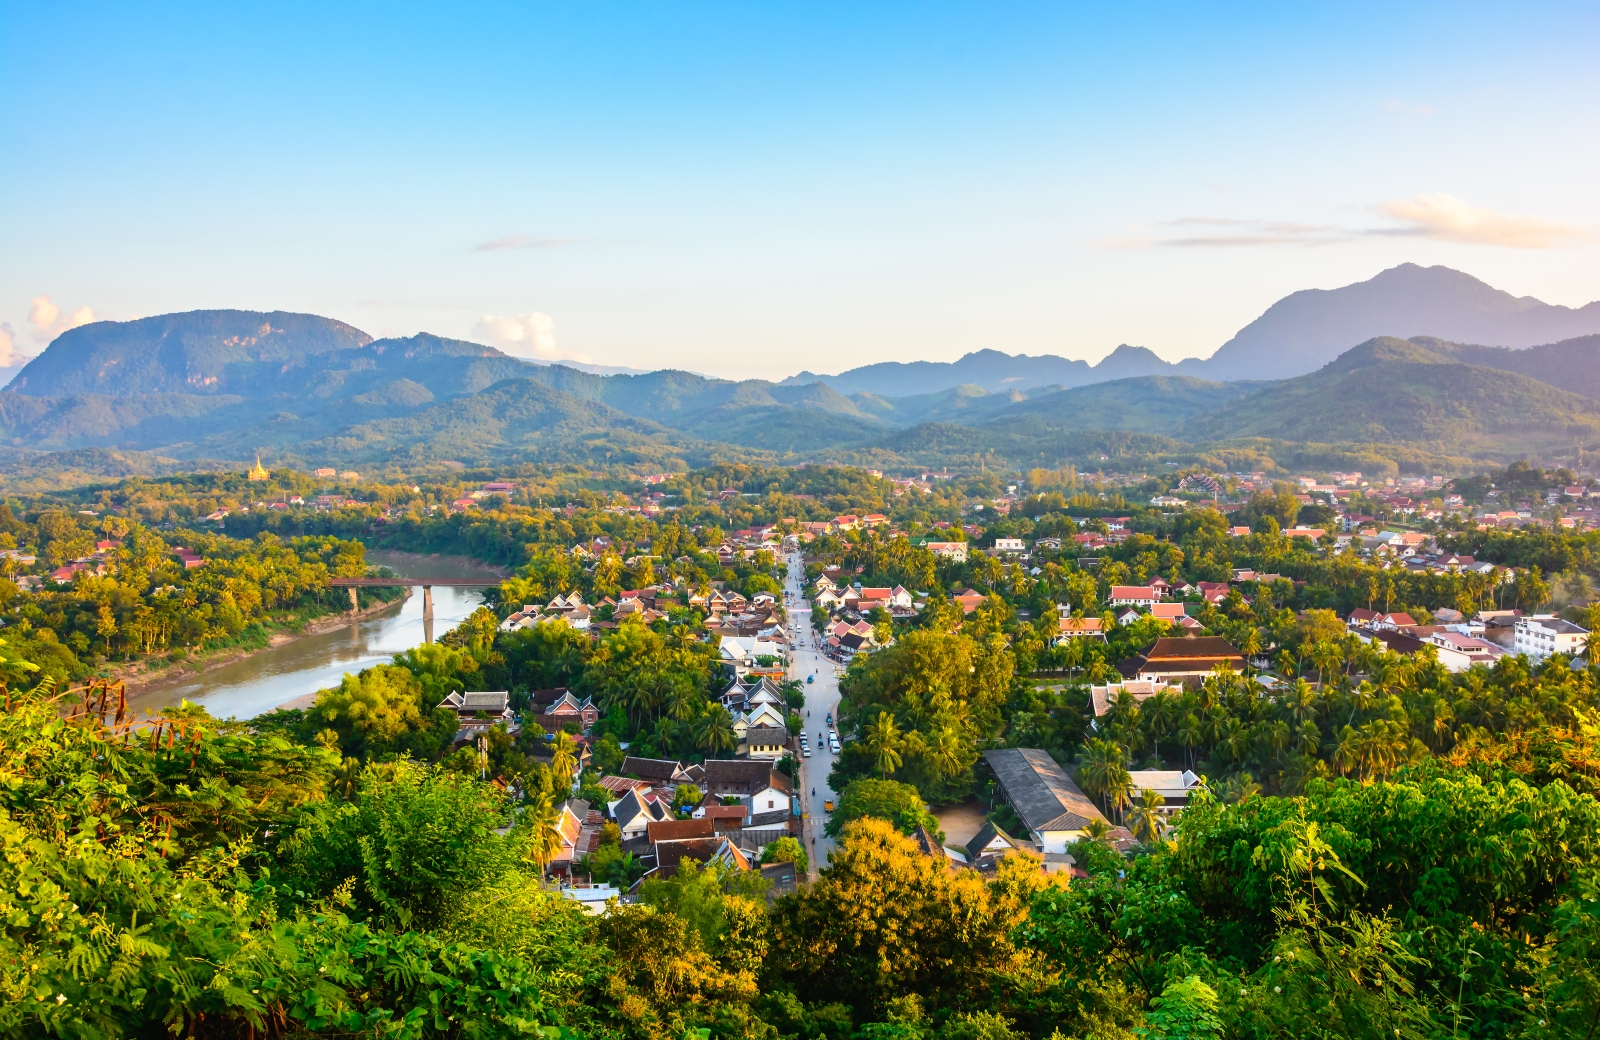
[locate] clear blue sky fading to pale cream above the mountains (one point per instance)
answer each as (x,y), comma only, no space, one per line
(756,190)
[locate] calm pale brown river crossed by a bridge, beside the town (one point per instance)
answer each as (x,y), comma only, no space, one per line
(300,668)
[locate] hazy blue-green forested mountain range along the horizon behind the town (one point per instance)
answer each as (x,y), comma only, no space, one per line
(220,386)
